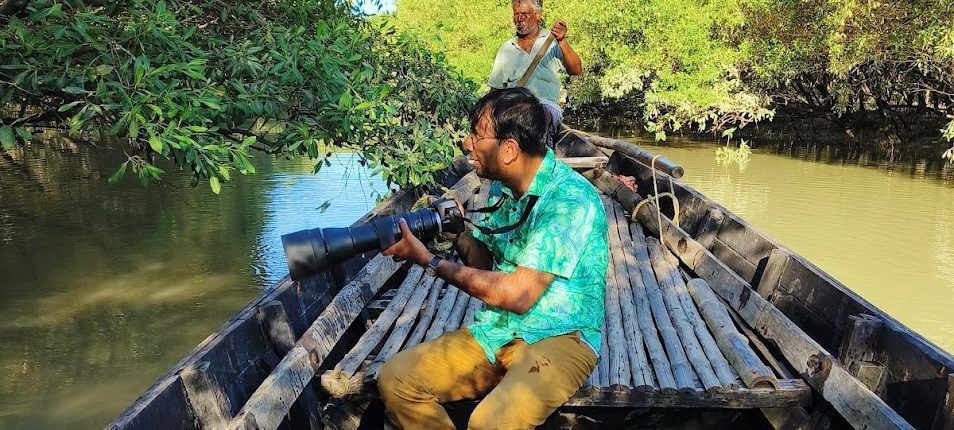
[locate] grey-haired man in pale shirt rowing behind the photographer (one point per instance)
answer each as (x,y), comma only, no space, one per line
(516,54)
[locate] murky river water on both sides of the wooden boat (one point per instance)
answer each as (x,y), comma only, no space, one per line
(105,287)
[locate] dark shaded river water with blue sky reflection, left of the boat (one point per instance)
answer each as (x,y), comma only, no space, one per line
(105,287)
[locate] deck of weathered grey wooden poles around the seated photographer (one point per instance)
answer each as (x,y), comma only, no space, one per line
(658,350)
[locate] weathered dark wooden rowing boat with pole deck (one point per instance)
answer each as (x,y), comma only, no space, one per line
(705,315)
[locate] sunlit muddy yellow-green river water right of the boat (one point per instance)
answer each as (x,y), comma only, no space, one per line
(885,229)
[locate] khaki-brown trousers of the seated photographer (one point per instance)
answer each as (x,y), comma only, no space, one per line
(528,382)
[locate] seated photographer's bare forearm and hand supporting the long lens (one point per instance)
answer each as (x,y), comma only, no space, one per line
(516,292)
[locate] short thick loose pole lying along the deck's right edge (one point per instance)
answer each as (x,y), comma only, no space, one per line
(753,372)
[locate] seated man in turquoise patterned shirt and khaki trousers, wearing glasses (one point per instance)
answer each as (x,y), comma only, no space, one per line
(537,261)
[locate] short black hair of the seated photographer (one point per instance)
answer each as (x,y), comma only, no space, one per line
(514,113)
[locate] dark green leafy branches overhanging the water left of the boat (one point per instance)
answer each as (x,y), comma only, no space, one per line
(202,83)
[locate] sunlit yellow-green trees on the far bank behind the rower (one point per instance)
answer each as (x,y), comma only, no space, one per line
(719,64)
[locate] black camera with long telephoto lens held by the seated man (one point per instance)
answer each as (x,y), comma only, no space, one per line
(312,251)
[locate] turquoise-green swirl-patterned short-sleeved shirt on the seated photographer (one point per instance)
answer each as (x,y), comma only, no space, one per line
(565,235)
